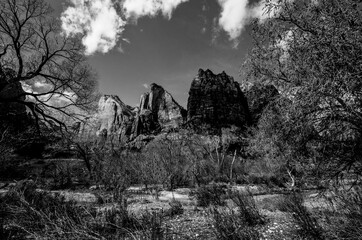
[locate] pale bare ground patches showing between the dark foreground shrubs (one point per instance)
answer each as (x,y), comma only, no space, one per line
(195,222)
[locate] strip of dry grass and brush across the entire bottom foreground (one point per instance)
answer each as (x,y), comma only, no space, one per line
(26,212)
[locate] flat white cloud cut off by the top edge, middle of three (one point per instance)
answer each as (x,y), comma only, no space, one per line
(140,8)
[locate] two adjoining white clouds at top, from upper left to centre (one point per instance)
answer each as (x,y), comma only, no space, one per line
(102,26)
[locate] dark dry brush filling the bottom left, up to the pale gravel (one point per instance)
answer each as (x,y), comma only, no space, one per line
(28,213)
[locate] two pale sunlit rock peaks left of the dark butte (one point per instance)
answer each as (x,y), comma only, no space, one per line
(114,120)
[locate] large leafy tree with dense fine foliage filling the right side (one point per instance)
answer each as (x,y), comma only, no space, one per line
(311,50)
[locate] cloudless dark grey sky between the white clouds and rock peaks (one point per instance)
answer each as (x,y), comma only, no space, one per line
(166,51)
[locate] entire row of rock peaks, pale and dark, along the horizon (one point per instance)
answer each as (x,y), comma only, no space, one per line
(215,103)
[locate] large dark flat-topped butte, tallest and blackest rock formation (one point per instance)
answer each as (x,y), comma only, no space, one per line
(216,101)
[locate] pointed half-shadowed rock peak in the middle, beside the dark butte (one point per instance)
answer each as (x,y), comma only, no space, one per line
(158,111)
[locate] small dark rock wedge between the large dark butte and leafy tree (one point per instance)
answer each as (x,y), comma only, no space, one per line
(259,96)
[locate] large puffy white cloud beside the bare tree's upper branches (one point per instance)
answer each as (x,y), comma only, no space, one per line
(97,20)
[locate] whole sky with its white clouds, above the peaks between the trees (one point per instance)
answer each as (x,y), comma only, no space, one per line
(133,43)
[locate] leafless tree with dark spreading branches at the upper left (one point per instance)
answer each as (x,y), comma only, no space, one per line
(49,64)
